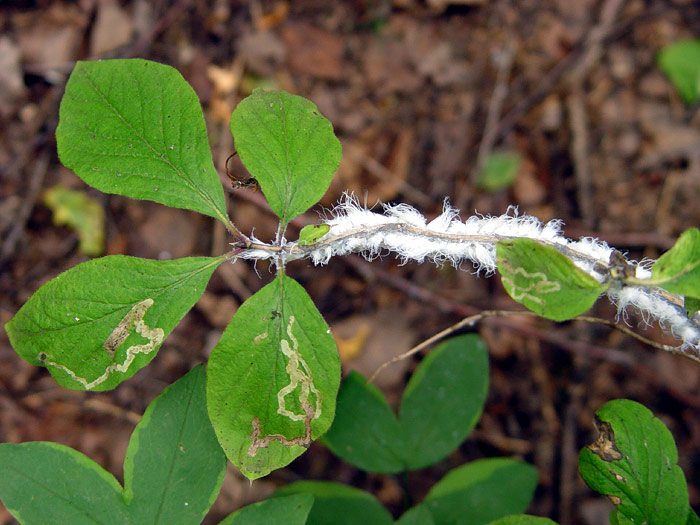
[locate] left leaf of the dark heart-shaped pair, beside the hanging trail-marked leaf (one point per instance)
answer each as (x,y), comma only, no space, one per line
(366,432)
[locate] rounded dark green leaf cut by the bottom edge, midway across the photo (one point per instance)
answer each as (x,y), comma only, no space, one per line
(338,504)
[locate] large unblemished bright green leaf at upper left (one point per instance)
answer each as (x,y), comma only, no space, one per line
(135,128)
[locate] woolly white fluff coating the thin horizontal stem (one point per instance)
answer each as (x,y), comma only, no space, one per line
(403,230)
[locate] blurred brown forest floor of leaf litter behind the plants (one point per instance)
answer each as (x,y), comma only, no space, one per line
(559,107)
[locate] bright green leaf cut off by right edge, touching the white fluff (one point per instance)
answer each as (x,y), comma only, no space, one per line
(678,270)
